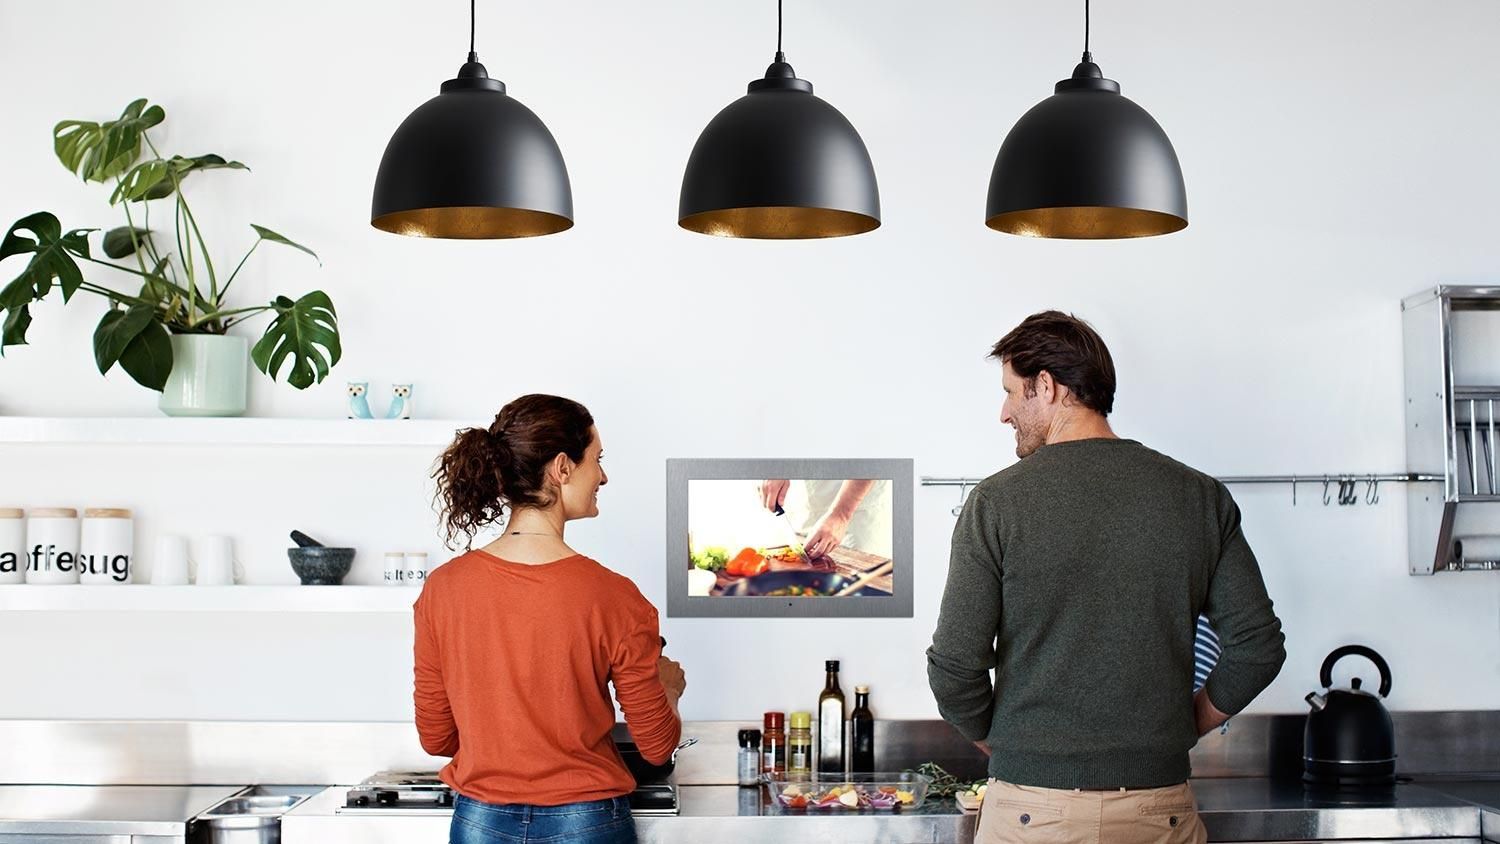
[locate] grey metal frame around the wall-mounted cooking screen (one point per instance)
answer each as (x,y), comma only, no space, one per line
(682,471)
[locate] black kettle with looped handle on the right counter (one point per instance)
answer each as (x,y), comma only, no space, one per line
(1349,738)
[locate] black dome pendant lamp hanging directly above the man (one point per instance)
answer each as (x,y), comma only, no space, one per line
(1087,164)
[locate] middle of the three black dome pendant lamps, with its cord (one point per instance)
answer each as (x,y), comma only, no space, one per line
(779,164)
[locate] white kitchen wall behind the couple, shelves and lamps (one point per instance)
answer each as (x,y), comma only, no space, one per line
(1339,157)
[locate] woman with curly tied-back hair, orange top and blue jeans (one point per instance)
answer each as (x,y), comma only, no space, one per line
(518,642)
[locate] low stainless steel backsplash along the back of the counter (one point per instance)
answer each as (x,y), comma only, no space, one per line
(344,753)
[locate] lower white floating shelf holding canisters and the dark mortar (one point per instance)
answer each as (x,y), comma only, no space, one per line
(140,597)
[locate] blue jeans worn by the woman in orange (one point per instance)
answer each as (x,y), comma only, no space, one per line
(595,822)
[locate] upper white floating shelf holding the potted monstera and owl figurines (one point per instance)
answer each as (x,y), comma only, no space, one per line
(236,431)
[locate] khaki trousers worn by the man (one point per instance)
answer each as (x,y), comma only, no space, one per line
(1016,815)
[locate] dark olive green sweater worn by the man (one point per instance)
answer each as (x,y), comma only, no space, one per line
(1078,575)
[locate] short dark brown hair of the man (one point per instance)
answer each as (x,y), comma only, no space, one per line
(1070,350)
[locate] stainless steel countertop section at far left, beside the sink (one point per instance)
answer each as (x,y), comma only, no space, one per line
(106,810)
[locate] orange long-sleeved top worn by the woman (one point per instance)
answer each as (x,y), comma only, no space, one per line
(514,666)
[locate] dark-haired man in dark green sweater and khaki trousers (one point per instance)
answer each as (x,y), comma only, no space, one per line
(1079,575)
